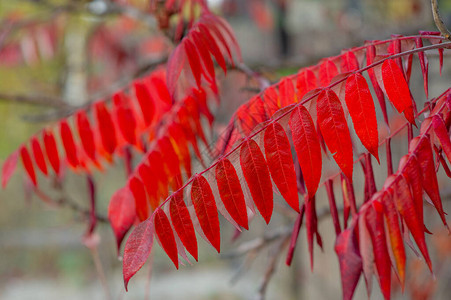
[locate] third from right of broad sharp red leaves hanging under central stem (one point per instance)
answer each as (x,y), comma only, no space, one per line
(332,123)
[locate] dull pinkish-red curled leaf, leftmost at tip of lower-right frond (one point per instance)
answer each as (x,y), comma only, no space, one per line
(347,250)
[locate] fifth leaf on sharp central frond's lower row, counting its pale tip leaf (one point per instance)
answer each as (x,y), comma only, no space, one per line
(231,193)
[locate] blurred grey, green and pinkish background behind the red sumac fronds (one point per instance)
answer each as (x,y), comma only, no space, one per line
(58,54)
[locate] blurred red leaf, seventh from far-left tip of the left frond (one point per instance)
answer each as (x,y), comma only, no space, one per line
(106,127)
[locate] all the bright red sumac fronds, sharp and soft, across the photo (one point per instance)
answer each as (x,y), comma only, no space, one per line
(322,113)
